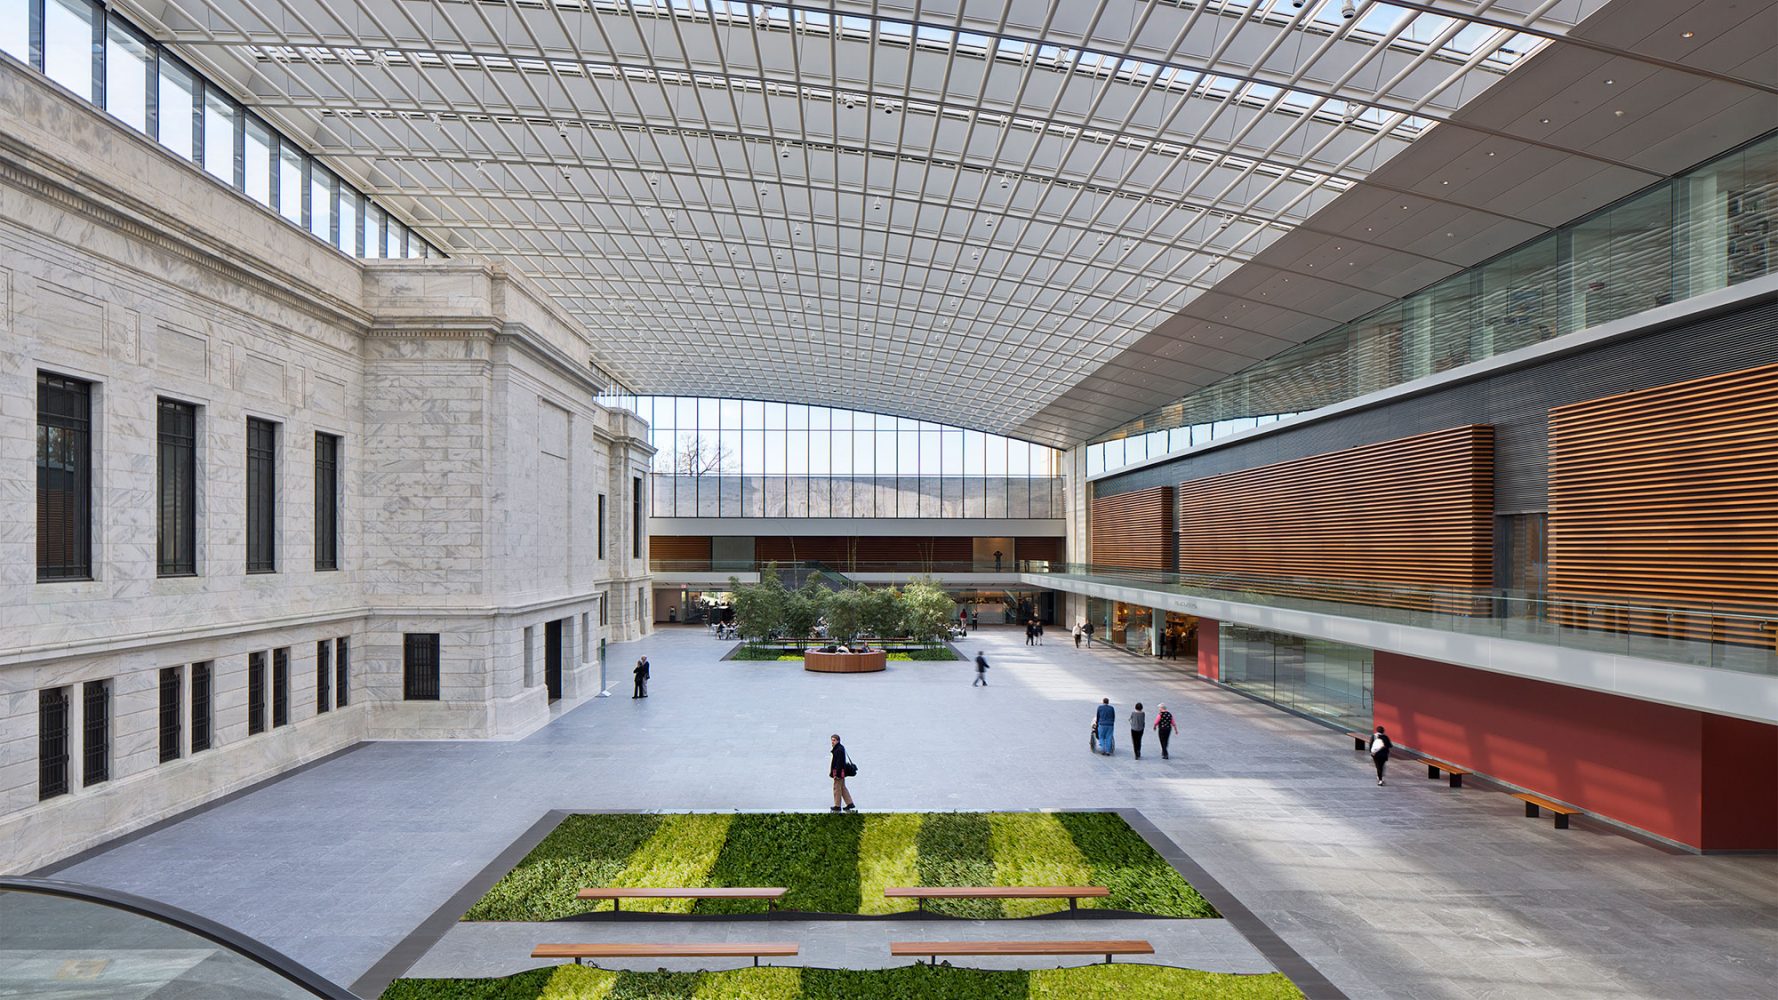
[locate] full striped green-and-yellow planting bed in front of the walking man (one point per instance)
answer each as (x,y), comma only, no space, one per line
(840,864)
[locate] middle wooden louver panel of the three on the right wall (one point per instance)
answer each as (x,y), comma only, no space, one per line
(1390,520)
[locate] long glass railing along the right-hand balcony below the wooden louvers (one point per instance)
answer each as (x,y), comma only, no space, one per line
(1738,638)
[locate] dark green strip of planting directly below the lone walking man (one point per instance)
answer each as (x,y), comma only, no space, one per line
(812,855)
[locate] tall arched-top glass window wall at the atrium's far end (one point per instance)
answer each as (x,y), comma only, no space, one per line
(732,458)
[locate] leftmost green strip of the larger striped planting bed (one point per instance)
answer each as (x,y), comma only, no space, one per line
(582,851)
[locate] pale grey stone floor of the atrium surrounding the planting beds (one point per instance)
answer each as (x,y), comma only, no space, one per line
(1407,891)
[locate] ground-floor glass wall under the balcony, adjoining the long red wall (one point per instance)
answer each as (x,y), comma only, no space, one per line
(1315,677)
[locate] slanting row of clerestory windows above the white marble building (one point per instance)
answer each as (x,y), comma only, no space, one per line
(108,61)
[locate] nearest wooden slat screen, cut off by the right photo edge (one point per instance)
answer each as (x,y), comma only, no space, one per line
(1669,497)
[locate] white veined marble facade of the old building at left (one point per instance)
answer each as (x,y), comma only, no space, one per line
(474,455)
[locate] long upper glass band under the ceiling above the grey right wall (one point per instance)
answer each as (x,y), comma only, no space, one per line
(1710,229)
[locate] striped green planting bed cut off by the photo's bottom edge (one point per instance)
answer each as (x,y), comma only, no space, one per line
(908,983)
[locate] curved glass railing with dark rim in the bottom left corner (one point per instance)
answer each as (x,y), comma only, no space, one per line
(72,942)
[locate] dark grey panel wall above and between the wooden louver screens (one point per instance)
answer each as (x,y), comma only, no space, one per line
(1516,403)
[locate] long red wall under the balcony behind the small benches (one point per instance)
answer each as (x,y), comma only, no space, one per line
(1669,771)
